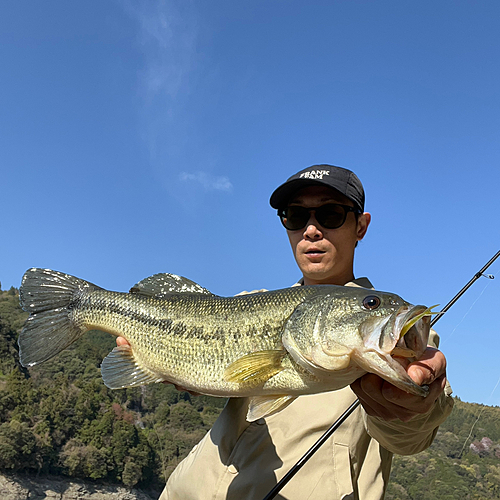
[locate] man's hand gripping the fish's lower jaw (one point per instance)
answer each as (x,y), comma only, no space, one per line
(381,399)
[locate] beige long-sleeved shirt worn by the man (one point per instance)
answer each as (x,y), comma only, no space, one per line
(238,460)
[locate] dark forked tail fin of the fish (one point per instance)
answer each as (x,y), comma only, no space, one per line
(49,296)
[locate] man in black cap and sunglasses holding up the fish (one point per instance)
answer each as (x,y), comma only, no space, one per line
(322,208)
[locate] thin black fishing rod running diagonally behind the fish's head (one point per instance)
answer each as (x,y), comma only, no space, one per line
(286,478)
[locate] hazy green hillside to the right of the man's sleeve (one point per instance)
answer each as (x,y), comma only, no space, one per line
(462,463)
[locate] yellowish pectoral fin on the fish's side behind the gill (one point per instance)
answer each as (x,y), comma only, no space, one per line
(256,367)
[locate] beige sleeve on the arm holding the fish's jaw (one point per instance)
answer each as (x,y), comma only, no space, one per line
(414,436)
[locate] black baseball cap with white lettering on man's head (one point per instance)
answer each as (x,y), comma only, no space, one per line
(339,178)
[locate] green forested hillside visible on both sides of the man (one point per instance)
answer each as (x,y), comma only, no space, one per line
(60,419)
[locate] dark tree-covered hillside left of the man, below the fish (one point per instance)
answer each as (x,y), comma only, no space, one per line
(59,418)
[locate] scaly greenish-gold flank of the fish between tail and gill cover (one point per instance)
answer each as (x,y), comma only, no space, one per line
(181,344)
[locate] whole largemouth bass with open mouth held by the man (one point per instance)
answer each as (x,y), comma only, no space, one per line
(270,346)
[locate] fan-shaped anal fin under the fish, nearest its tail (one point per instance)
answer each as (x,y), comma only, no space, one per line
(119,369)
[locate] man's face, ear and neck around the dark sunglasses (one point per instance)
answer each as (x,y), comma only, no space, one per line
(325,256)
